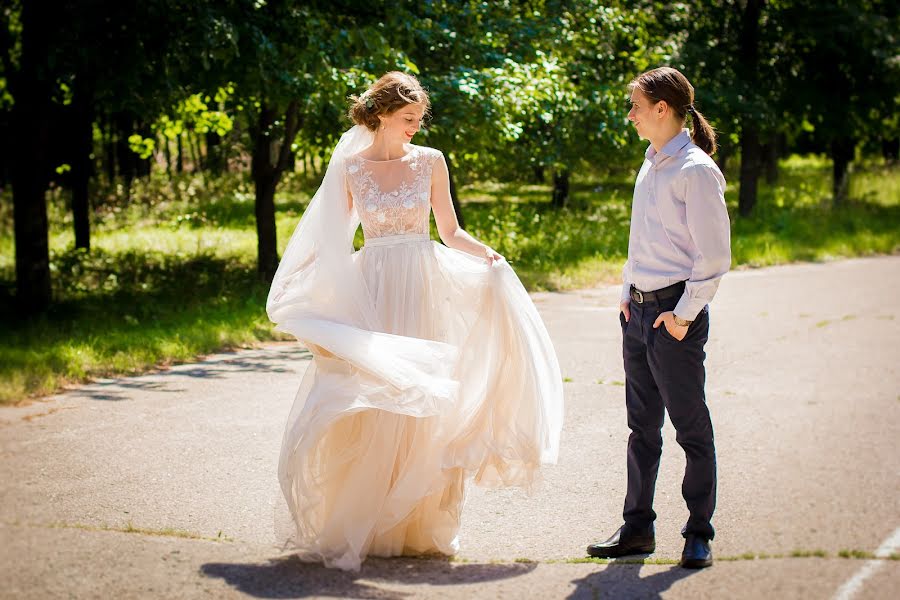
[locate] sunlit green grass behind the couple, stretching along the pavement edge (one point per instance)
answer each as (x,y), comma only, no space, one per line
(171,272)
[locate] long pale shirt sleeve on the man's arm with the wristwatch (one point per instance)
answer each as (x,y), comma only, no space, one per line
(707,221)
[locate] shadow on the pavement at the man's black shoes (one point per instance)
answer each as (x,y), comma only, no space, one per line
(624,581)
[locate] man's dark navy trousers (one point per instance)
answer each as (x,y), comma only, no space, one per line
(663,375)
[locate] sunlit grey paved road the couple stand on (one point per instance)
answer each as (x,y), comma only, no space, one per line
(162,485)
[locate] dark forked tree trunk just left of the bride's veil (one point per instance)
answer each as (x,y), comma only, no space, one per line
(266,169)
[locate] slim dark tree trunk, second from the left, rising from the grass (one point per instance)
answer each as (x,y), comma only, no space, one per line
(82,105)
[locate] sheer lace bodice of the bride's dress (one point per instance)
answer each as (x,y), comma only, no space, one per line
(393,197)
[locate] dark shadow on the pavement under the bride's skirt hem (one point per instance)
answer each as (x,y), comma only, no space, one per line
(291,578)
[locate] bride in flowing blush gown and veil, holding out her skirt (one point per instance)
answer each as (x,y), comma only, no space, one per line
(431,366)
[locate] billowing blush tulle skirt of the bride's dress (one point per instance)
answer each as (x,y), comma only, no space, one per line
(381,442)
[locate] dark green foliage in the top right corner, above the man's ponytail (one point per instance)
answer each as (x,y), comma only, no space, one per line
(819,64)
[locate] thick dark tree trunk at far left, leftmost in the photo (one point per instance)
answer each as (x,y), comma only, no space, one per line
(32,88)
